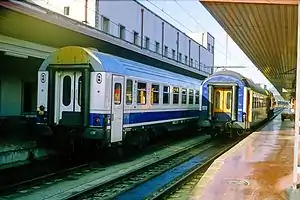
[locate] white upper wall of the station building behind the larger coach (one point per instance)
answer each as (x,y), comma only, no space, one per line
(128,13)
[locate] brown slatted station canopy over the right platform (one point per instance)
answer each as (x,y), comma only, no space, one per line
(266,30)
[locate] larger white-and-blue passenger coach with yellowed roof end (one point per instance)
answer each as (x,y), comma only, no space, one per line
(83,93)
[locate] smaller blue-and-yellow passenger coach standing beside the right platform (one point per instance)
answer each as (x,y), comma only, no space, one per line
(232,104)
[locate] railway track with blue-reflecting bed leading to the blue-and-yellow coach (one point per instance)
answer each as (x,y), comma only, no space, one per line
(153,182)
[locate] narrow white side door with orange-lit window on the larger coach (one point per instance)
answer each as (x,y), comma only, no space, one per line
(117,108)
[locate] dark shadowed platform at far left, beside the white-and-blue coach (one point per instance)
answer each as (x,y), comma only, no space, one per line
(17,143)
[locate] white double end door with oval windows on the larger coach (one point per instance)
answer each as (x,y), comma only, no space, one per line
(68,91)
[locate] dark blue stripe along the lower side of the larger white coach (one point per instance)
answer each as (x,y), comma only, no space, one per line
(132,118)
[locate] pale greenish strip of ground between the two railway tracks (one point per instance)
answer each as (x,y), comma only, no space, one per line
(74,183)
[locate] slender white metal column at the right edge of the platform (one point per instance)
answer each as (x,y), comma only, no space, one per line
(297,112)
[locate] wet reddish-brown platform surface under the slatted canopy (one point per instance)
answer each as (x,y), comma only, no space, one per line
(258,168)
